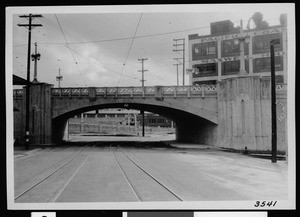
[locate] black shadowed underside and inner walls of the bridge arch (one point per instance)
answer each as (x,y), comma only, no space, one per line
(188,127)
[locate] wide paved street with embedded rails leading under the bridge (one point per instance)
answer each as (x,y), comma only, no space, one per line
(116,171)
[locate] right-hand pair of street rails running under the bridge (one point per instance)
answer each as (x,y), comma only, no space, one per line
(160,185)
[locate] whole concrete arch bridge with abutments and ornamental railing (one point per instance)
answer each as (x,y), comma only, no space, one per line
(230,114)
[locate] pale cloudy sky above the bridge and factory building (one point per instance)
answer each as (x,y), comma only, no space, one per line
(100,46)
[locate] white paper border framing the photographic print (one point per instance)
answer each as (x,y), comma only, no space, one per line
(213,205)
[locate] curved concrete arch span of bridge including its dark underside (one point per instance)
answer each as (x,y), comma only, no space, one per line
(192,124)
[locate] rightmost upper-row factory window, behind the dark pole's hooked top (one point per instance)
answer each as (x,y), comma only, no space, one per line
(261,43)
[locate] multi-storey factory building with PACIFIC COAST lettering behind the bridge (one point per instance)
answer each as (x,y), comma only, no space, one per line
(216,56)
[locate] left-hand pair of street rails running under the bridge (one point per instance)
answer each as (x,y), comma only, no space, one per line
(71,158)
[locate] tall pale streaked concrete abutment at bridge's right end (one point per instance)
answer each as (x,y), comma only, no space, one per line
(244,114)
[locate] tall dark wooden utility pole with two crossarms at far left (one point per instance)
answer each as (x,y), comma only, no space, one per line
(30,26)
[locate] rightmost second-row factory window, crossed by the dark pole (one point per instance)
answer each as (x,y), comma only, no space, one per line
(264,64)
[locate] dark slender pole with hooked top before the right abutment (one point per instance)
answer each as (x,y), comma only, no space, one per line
(273,101)
